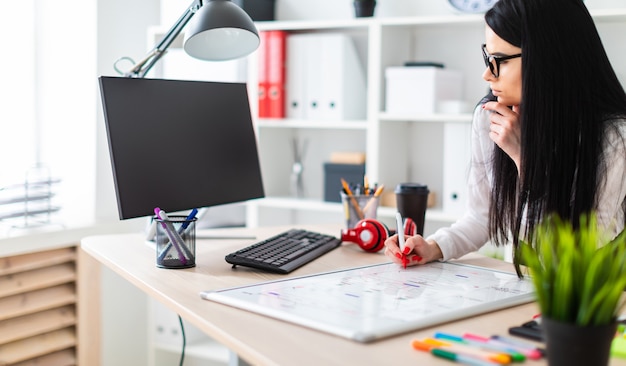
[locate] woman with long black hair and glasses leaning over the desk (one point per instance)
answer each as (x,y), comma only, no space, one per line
(549,139)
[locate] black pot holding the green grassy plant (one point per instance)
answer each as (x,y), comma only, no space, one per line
(572,345)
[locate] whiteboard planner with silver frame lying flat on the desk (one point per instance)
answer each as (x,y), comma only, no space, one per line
(373,302)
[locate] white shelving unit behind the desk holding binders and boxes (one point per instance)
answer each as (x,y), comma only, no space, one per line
(399,148)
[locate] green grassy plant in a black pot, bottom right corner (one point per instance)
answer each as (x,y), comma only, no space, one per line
(579,285)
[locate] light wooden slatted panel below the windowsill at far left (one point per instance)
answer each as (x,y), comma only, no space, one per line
(38,317)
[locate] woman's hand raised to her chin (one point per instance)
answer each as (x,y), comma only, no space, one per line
(505,129)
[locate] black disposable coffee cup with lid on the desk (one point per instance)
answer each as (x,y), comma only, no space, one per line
(411,200)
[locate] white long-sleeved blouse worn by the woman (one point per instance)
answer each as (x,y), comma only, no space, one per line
(470,232)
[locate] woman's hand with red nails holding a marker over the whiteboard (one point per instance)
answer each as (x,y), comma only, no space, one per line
(416,250)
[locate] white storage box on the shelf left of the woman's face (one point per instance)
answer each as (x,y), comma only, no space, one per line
(417,90)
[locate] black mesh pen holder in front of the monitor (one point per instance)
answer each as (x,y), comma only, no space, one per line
(176,242)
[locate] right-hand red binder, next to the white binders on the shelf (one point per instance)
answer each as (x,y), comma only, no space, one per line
(276,46)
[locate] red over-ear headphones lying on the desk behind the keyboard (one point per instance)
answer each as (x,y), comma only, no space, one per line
(370,234)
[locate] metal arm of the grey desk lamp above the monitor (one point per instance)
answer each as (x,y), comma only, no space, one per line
(141,68)
